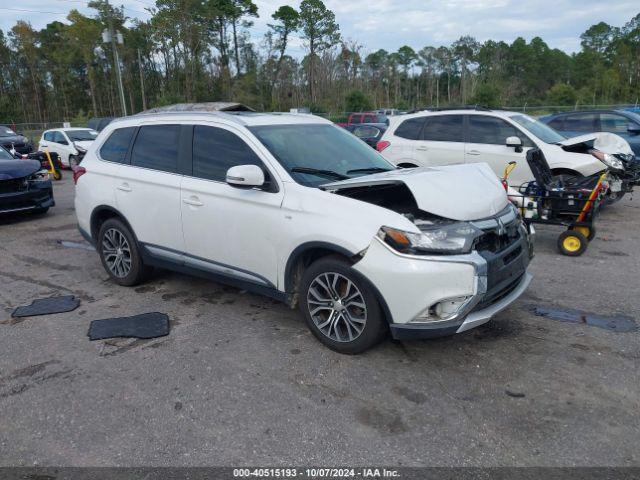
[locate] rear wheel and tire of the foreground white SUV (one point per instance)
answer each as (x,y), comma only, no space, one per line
(120,254)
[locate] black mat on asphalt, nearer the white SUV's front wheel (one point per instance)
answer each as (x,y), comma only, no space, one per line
(145,325)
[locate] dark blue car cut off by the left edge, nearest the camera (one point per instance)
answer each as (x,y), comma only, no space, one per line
(24,186)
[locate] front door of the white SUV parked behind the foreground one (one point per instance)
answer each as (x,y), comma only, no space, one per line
(486,143)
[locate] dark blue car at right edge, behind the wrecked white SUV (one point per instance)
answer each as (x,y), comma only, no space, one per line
(624,123)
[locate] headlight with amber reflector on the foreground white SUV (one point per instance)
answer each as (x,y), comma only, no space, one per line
(449,238)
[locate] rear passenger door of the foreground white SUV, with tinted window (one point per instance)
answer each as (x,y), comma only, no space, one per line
(148,188)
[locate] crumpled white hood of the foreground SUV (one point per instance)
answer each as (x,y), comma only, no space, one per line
(457,192)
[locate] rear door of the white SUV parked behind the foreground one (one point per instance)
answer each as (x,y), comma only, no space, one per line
(441,141)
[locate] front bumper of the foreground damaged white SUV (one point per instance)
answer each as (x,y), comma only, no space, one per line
(410,285)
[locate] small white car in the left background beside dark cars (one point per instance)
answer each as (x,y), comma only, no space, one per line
(69,143)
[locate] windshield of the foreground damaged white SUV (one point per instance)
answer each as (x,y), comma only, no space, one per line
(329,150)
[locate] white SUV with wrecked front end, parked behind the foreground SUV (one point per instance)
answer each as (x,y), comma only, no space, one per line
(452,137)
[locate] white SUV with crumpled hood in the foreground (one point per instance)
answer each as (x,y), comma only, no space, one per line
(296,208)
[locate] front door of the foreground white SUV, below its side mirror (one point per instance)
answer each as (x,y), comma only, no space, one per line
(228,230)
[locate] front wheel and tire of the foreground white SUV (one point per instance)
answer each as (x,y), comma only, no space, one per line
(340,308)
